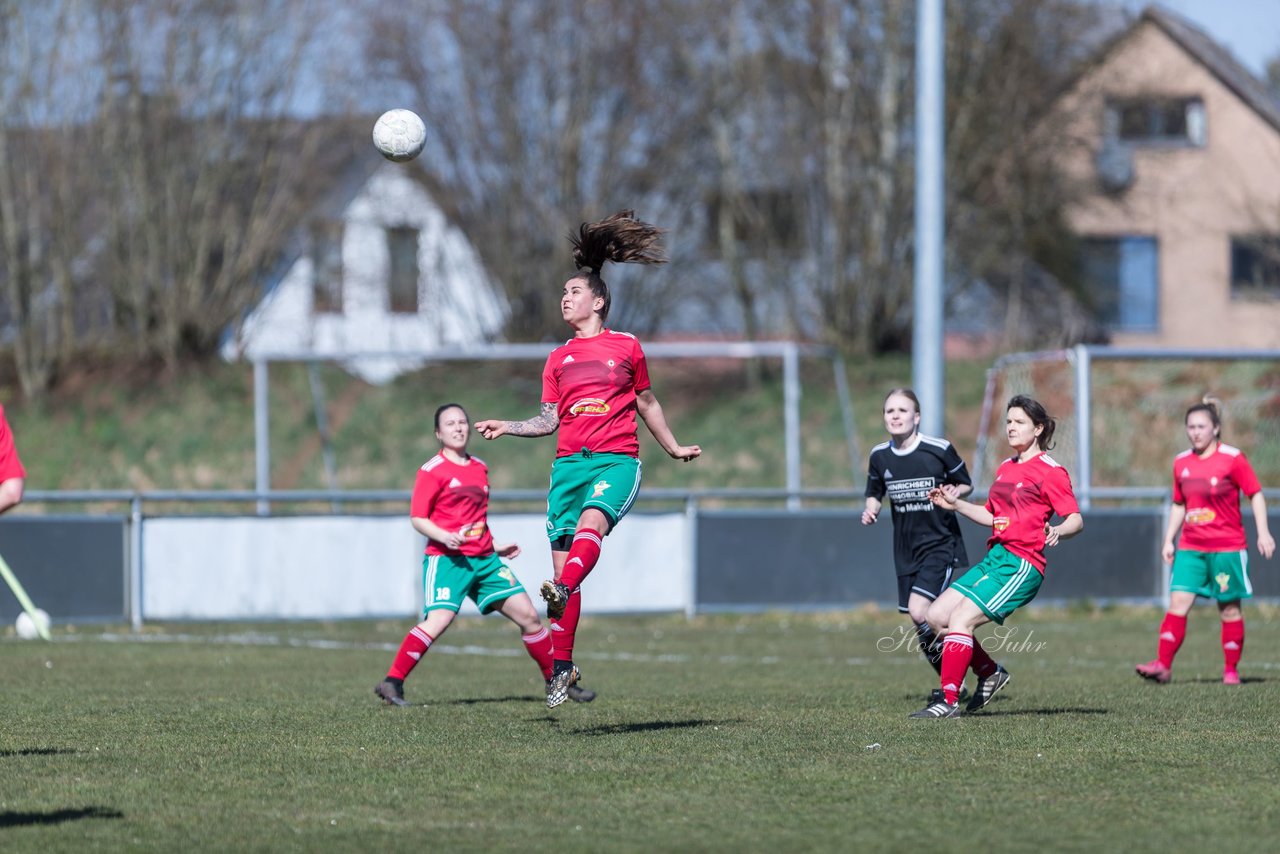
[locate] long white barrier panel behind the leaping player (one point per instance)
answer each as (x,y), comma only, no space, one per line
(335,567)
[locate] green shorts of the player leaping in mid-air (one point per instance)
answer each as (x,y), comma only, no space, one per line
(607,482)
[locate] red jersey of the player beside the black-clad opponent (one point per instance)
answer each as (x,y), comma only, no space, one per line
(1025,497)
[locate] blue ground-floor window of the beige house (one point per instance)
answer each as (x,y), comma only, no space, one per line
(1122,282)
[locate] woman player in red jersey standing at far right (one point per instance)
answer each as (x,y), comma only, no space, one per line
(1212,559)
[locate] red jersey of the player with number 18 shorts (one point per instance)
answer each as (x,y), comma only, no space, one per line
(454,497)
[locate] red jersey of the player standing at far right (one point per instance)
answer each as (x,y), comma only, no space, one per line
(1210,490)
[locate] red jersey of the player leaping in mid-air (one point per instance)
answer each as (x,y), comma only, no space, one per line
(593,382)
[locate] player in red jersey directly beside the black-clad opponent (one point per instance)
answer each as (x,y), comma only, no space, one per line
(1028,491)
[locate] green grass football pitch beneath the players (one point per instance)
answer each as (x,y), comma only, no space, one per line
(765,733)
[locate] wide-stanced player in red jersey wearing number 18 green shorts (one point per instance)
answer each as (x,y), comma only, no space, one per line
(451,509)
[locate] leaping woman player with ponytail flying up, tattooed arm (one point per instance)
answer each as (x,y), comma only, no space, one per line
(593,389)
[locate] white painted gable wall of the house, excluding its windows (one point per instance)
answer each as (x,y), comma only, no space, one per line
(458,303)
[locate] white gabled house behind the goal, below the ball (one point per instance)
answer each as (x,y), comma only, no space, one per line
(378,270)
